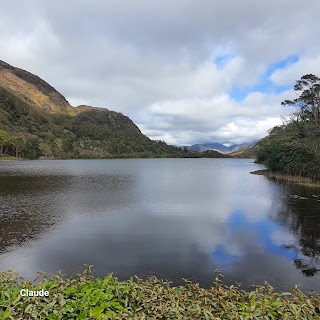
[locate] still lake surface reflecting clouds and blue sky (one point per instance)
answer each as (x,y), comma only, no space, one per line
(173,218)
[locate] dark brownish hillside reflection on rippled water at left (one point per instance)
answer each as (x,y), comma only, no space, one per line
(31,206)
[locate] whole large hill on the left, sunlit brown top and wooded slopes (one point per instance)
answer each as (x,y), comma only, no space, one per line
(37,121)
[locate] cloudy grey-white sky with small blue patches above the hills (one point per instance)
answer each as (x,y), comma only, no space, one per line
(185,71)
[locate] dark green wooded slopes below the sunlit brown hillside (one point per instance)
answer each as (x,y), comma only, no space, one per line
(92,133)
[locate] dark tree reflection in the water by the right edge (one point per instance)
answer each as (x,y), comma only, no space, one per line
(302,218)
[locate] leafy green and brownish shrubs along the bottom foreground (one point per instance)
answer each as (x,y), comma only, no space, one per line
(83,297)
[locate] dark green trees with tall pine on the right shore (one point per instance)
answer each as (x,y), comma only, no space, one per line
(293,148)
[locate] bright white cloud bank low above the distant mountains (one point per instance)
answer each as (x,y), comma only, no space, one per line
(190,121)
